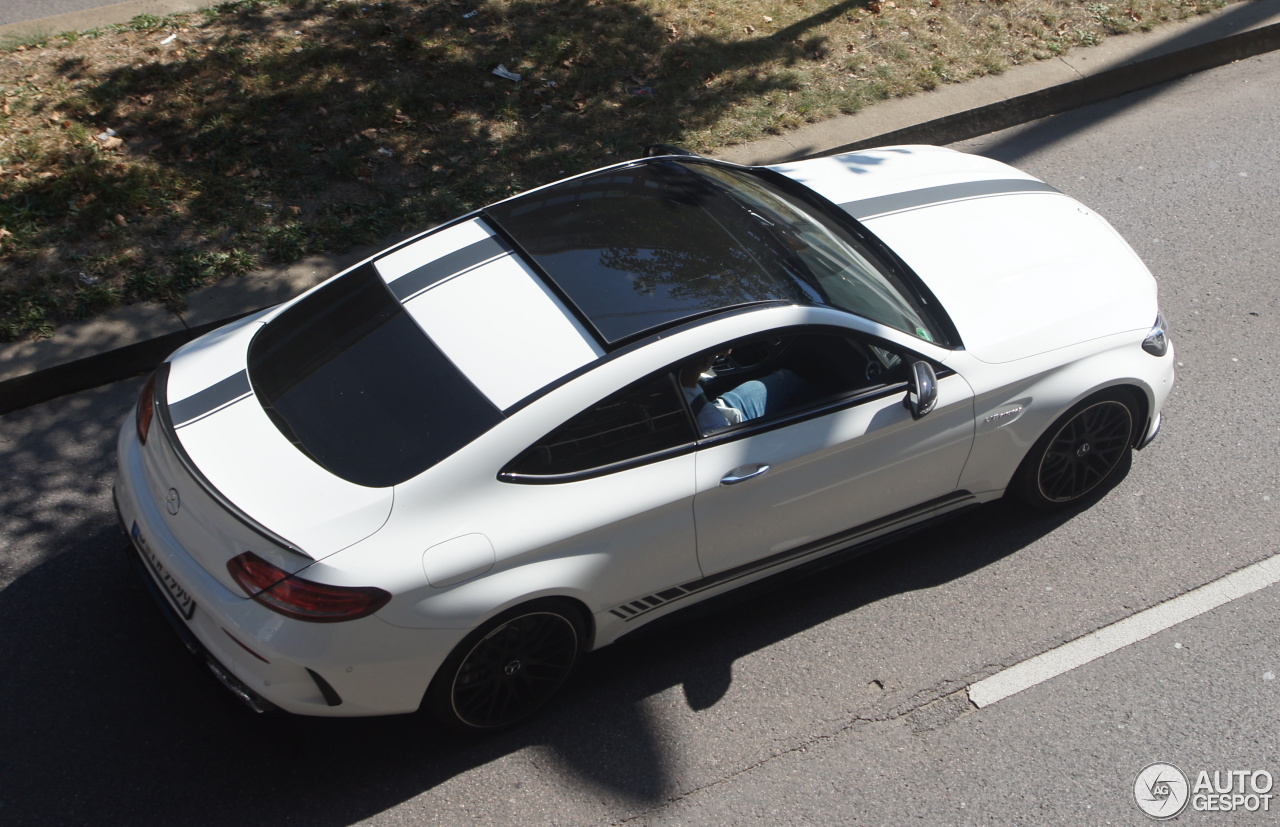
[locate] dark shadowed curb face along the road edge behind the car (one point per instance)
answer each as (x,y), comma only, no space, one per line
(104,368)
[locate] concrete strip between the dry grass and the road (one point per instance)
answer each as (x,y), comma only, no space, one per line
(136,339)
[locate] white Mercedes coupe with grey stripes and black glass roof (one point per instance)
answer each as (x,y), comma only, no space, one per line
(440,478)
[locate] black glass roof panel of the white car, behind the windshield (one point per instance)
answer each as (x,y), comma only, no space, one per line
(646,246)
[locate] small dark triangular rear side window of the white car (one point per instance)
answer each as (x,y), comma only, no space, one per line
(639,421)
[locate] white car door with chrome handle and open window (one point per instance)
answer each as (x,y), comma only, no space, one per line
(849,455)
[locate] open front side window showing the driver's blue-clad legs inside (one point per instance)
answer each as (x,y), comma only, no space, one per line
(785,373)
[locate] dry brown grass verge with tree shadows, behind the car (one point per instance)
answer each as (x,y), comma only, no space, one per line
(144,161)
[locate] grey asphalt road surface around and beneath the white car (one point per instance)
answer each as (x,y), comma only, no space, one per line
(836,700)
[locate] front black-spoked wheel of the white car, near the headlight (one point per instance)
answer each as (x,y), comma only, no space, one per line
(1080,453)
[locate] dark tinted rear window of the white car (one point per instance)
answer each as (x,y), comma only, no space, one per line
(354,383)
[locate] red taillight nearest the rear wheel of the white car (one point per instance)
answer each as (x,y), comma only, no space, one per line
(303,600)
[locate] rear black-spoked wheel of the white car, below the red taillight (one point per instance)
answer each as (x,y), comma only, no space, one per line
(508,669)
